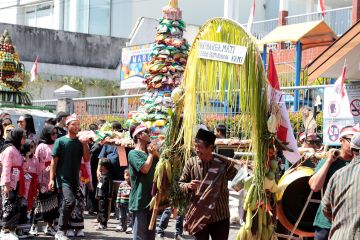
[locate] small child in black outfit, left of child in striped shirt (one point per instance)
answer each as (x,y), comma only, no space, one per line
(104,192)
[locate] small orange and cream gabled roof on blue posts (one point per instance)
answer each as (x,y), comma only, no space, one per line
(310,34)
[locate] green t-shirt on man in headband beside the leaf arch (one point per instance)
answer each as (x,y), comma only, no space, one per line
(141,184)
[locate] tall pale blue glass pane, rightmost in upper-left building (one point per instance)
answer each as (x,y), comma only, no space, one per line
(99,20)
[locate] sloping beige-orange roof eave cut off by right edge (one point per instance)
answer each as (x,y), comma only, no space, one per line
(331,61)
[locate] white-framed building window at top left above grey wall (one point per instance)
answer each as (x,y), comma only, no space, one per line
(40,16)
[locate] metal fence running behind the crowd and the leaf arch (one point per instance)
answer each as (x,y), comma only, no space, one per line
(216,112)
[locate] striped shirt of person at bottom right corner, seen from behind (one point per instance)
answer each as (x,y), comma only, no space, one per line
(341,202)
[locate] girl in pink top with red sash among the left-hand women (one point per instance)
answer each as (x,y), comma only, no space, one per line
(30,175)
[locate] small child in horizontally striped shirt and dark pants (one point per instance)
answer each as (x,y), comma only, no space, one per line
(122,203)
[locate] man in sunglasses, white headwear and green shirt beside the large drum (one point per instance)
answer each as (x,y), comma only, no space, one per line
(324,171)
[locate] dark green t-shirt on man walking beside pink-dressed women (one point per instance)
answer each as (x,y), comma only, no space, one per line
(69,152)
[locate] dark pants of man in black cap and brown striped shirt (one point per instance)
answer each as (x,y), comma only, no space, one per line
(217,230)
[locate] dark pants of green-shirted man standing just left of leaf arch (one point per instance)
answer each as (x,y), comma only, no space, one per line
(141,221)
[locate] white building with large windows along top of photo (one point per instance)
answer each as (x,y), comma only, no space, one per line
(118,17)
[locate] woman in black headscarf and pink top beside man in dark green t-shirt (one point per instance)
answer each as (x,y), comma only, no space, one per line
(47,204)
